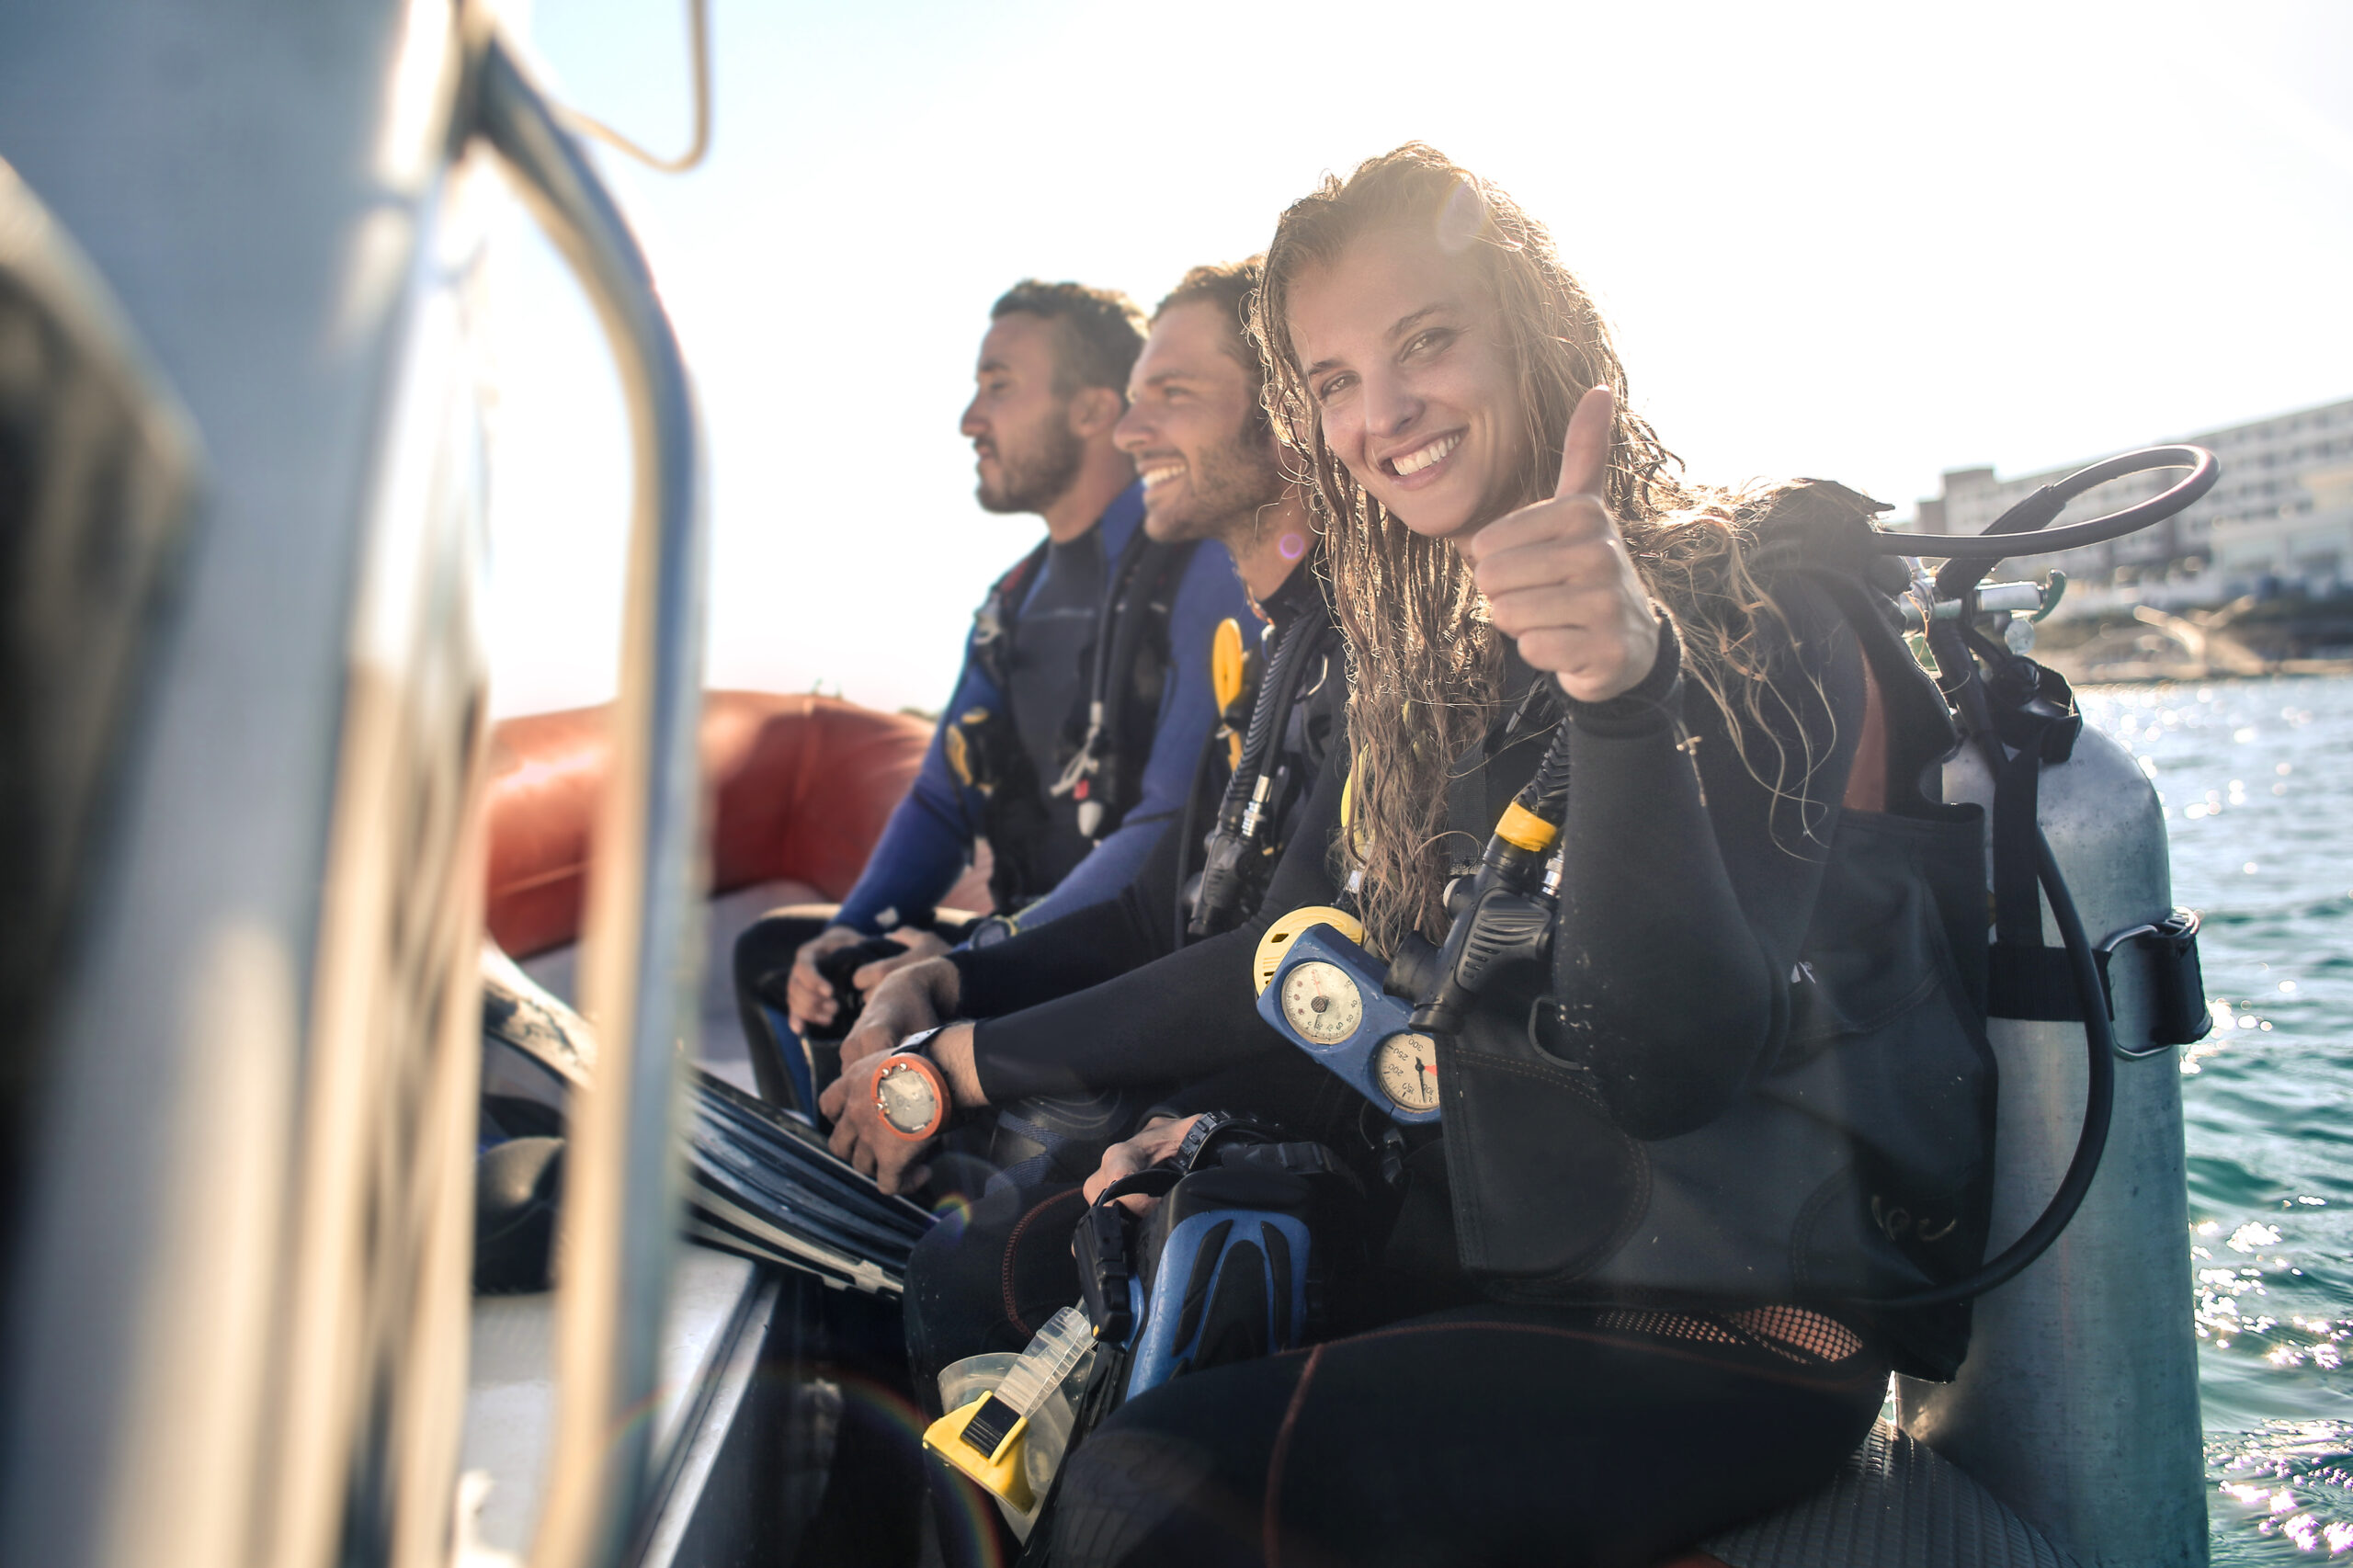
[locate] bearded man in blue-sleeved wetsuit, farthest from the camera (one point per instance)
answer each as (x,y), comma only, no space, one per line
(1069,809)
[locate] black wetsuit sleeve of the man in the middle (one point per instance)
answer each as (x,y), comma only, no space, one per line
(1173,1021)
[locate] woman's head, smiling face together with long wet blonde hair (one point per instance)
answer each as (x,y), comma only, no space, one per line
(1425,352)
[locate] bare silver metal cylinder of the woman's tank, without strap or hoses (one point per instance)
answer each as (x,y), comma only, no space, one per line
(2079,1402)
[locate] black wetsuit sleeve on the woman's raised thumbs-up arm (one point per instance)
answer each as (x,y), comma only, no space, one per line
(1691,872)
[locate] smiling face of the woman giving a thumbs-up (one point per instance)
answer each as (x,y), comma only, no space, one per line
(1413,383)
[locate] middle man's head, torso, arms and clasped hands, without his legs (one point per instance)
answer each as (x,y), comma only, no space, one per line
(1076,1018)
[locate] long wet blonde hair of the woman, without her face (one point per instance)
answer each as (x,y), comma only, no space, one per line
(1425,658)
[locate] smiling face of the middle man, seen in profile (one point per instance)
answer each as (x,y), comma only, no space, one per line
(1189,425)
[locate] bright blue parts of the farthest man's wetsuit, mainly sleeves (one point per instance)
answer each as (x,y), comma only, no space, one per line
(931,837)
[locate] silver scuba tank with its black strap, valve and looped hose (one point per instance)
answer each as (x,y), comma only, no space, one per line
(2079,1402)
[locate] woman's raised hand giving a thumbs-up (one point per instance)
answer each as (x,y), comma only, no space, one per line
(1561,580)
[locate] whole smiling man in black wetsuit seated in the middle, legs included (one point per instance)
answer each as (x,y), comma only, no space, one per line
(1088,1021)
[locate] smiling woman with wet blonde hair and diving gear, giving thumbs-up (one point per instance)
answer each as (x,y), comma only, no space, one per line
(1618,1221)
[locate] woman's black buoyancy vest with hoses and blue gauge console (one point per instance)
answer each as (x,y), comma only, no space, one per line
(1900,1216)
